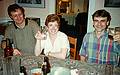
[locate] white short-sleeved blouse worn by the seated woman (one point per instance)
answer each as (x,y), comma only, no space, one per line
(60,42)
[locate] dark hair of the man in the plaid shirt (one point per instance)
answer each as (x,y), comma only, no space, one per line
(102,13)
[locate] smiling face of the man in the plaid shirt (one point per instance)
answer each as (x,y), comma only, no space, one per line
(100,23)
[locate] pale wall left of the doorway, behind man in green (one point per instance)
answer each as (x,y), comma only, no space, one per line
(29,12)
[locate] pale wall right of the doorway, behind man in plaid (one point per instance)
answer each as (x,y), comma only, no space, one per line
(99,4)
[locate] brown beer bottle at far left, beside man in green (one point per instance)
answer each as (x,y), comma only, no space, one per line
(8,51)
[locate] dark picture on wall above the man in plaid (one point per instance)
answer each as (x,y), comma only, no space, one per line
(112,3)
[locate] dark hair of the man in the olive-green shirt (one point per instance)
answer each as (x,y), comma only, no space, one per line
(13,7)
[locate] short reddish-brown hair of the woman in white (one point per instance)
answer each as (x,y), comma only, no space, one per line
(52,18)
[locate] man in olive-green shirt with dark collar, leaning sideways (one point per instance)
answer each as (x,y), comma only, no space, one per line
(22,31)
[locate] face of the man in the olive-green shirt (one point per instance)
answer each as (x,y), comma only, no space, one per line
(17,16)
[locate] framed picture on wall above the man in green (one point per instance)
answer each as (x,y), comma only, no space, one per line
(31,3)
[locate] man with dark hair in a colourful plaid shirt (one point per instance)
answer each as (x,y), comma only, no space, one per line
(97,47)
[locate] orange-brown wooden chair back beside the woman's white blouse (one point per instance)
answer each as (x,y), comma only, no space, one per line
(73,44)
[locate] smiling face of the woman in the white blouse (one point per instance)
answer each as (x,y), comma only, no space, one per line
(53,27)
